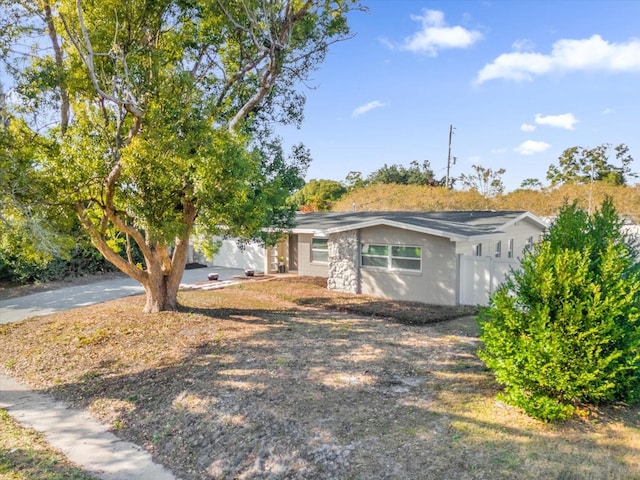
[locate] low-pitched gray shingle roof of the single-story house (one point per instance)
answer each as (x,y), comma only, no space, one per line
(459,224)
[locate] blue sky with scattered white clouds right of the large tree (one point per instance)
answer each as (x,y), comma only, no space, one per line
(520,81)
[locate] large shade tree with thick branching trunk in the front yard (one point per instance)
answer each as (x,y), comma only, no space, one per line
(163,112)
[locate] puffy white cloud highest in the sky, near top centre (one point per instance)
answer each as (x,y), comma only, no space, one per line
(436,35)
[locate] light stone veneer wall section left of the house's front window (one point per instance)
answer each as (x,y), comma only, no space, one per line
(343,262)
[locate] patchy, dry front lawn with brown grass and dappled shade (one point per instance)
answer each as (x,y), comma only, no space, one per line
(282,379)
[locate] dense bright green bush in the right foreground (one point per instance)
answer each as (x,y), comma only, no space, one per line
(565,329)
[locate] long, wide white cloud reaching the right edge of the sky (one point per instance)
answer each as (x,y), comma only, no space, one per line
(593,54)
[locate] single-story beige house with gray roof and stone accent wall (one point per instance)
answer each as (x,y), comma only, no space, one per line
(438,257)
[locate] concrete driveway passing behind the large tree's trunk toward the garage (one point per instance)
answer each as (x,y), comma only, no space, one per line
(44,303)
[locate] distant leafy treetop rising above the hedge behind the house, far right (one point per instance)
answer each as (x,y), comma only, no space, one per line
(587,165)
